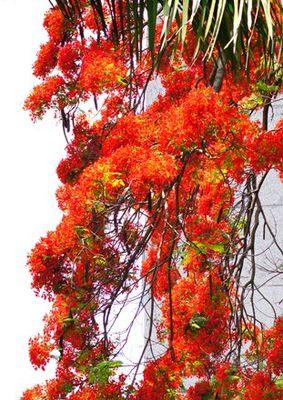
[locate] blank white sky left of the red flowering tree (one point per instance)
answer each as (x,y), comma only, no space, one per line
(29,154)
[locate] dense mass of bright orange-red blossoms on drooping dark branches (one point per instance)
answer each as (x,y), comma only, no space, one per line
(164,182)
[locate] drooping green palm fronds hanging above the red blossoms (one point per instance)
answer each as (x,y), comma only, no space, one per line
(228,25)
